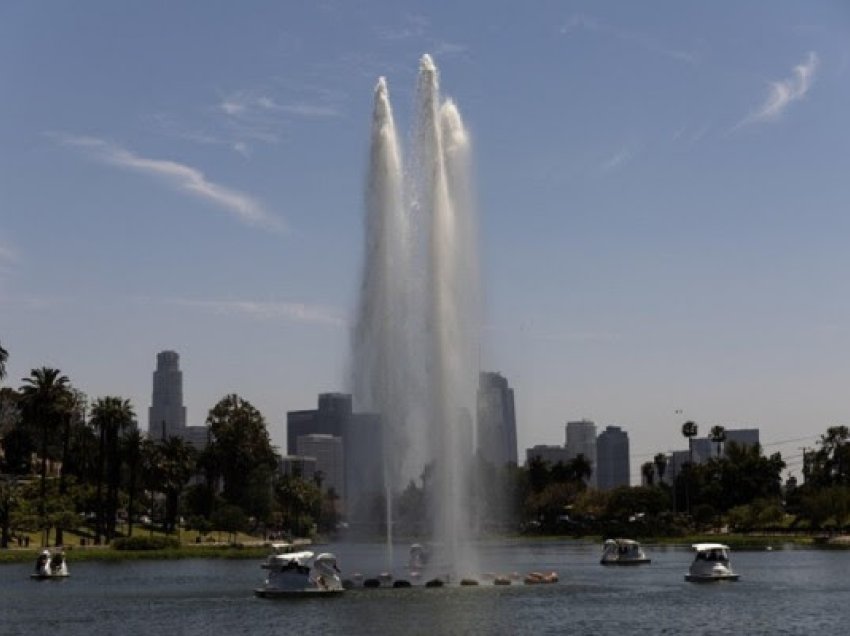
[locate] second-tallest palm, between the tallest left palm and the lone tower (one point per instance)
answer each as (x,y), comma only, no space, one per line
(110,416)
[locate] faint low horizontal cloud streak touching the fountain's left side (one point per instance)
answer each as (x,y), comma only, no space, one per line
(266,310)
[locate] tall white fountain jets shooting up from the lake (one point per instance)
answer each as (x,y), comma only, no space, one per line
(415,341)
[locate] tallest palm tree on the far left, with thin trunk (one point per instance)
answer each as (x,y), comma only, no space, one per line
(44,399)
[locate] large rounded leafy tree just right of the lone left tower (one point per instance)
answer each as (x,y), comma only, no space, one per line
(241,453)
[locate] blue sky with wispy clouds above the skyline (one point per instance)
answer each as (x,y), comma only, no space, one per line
(663,193)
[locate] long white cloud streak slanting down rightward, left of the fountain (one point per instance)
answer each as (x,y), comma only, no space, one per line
(180,176)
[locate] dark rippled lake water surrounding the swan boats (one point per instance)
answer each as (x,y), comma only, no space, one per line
(784,591)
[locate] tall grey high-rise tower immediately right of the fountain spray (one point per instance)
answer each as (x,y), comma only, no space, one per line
(496,430)
